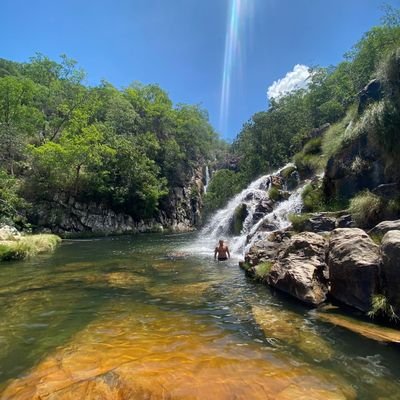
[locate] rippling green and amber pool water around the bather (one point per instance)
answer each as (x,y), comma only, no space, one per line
(127,318)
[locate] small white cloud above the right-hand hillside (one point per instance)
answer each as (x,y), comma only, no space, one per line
(293,80)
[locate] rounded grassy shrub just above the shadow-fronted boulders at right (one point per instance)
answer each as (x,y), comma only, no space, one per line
(366,209)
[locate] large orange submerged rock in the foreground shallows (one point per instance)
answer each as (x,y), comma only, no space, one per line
(167,355)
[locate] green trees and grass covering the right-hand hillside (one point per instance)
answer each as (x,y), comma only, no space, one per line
(311,126)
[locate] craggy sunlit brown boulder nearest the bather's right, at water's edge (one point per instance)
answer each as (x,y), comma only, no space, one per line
(300,269)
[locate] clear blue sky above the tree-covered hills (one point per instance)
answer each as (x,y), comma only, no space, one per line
(180,44)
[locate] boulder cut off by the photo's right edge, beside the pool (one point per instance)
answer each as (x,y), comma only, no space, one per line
(391,267)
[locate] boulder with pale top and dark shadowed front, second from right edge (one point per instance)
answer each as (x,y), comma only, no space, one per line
(354,264)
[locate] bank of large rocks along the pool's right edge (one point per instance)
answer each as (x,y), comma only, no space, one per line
(345,265)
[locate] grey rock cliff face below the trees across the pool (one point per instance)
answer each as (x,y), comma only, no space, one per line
(179,211)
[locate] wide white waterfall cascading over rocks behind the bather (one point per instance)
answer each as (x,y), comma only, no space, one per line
(263,216)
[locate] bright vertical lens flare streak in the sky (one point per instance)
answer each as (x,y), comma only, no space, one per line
(239,15)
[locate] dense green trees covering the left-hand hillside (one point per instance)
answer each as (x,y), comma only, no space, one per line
(125,148)
